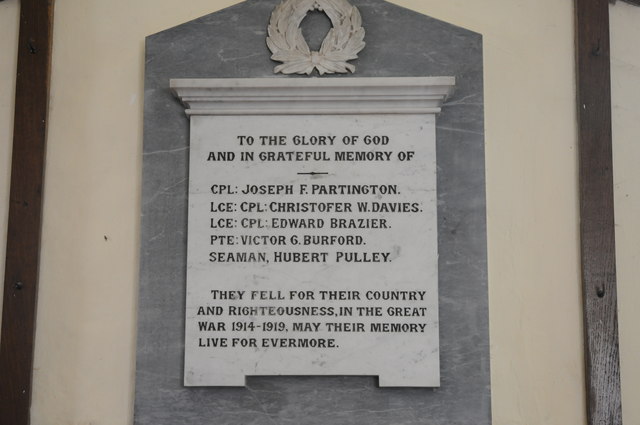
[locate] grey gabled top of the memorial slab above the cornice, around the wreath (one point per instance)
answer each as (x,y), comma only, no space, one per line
(231,43)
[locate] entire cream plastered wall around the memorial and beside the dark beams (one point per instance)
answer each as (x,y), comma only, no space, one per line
(85,343)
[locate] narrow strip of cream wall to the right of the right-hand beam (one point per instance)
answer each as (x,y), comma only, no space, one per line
(625,87)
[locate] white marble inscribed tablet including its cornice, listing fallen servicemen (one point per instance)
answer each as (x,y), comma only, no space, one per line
(312,242)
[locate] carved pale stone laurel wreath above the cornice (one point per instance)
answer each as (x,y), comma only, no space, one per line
(342,44)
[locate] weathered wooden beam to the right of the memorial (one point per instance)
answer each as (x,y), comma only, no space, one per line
(596,213)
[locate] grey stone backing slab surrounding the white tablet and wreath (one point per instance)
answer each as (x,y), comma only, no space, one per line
(231,43)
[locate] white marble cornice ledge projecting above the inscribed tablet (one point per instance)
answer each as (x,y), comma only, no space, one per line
(314,96)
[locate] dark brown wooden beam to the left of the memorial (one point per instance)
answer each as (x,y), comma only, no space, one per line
(25,211)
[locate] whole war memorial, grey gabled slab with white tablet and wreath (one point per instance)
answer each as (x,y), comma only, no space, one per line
(313,219)
